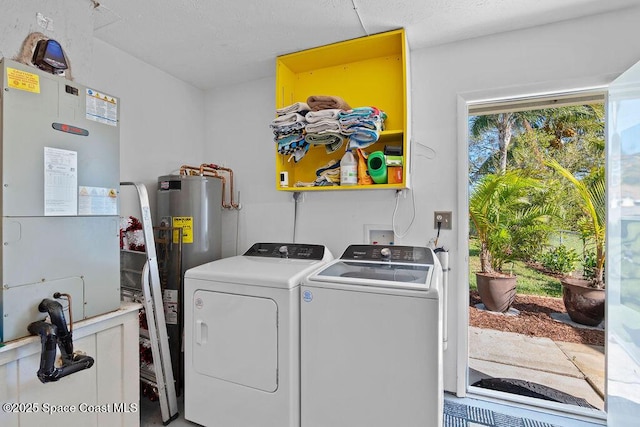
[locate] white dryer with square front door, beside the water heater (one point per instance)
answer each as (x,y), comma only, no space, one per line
(242,331)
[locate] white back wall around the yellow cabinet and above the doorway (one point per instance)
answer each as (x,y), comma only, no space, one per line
(569,55)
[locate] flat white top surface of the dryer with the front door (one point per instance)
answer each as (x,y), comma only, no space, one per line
(262,270)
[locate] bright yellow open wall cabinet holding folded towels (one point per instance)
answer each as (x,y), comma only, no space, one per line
(368,71)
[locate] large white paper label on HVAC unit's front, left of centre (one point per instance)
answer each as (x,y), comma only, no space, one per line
(60,182)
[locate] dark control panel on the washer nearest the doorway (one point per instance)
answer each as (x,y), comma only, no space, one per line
(413,254)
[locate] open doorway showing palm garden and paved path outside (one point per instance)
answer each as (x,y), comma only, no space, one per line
(527,160)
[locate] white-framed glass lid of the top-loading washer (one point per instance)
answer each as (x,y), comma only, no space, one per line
(395,275)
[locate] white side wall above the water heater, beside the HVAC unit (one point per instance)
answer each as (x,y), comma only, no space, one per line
(161,120)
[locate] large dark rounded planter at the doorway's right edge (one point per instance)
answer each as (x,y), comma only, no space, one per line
(585,305)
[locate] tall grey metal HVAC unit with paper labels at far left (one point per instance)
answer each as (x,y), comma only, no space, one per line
(59,142)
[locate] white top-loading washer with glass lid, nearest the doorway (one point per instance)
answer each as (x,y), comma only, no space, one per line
(371,340)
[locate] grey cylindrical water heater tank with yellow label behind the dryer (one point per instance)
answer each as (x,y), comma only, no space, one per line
(194,204)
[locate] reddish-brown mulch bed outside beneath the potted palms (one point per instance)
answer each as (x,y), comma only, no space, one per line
(534,320)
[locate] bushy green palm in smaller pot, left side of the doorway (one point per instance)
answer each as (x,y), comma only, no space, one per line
(503,216)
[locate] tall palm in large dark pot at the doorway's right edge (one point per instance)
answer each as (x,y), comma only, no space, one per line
(584,298)
